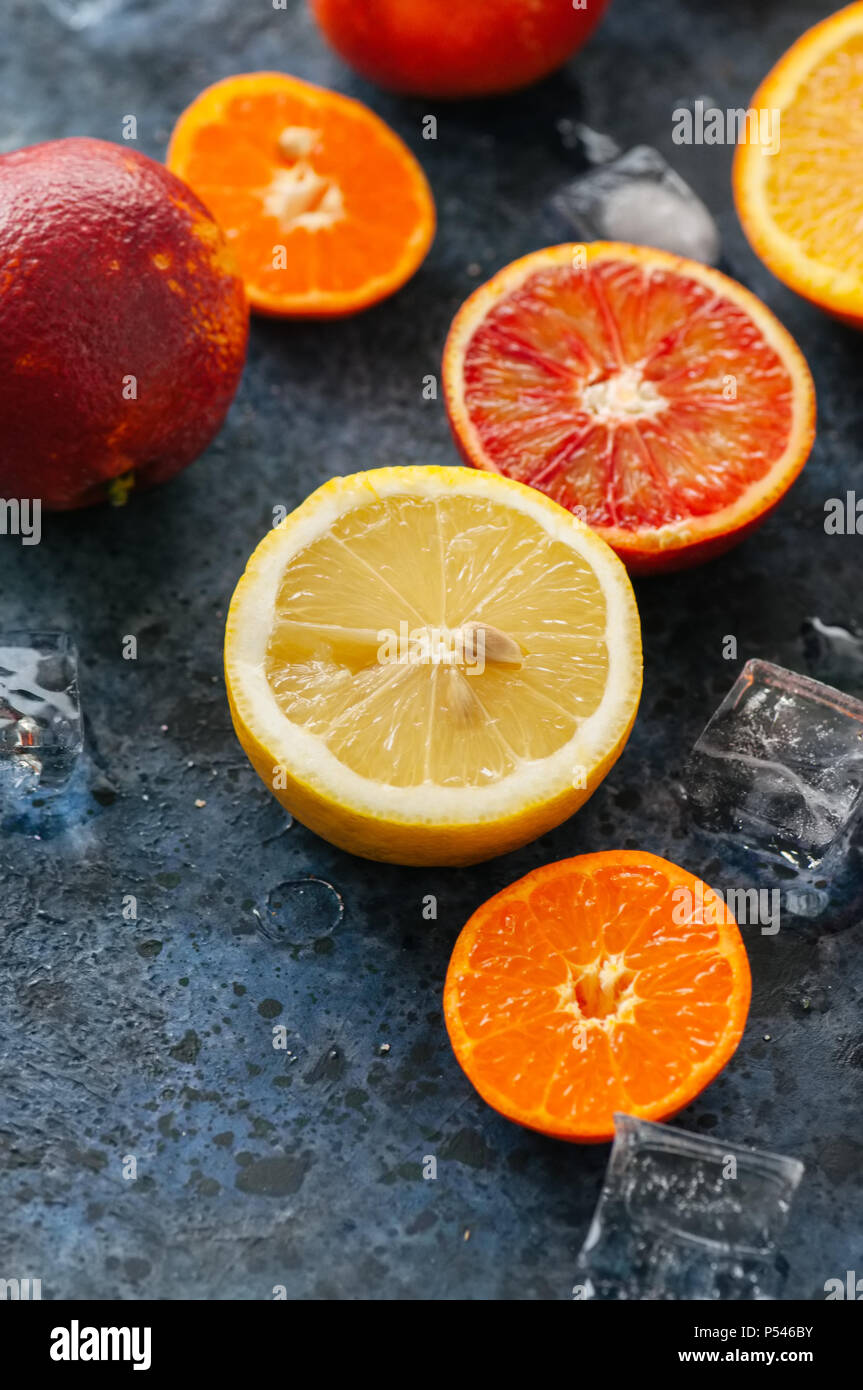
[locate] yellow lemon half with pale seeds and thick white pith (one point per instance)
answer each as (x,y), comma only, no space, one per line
(433,667)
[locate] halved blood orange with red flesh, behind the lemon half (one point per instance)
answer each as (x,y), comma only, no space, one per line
(654,397)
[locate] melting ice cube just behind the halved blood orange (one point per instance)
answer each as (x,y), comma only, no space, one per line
(640,198)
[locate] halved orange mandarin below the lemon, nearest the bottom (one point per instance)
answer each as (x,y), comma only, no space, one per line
(612,982)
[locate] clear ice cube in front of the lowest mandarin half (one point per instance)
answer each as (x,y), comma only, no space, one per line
(686,1217)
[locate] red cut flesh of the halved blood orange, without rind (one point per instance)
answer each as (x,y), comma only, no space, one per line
(666,347)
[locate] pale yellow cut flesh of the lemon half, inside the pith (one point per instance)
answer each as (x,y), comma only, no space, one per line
(368,644)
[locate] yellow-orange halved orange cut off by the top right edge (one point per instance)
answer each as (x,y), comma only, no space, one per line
(803,205)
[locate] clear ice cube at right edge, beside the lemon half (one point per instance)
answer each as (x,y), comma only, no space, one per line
(780,767)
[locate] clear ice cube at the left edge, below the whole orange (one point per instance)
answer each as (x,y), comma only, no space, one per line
(41,726)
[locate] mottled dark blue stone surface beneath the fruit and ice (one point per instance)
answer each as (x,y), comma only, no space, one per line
(155,1038)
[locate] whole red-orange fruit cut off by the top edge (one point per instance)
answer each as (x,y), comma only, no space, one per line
(457,48)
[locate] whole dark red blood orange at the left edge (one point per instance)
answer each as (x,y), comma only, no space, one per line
(123,323)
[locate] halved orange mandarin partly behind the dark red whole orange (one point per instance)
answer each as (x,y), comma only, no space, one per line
(327,211)
